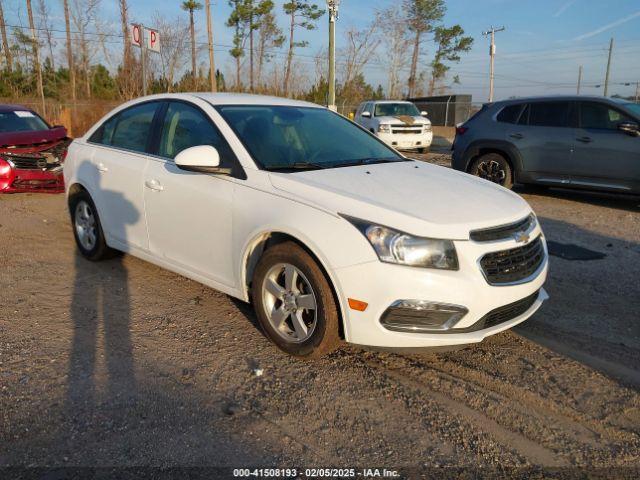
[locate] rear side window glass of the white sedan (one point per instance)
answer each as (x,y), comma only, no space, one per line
(129,129)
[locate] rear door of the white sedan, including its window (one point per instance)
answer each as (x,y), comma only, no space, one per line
(116,173)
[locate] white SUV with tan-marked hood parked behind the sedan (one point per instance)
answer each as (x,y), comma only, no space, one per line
(398,124)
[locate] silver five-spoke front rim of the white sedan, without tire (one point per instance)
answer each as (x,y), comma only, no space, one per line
(289,302)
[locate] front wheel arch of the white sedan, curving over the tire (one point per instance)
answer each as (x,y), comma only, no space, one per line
(261,242)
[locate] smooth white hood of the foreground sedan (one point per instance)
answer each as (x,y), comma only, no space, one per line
(415,197)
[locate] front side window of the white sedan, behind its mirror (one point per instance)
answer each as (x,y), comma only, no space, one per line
(186,126)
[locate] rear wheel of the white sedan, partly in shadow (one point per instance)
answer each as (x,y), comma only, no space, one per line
(87,228)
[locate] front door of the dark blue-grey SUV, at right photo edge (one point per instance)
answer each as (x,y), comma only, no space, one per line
(604,157)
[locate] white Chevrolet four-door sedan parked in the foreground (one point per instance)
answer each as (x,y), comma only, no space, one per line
(330,234)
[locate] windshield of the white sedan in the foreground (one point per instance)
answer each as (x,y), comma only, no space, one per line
(282,137)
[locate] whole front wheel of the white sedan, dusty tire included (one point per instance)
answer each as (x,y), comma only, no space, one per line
(294,302)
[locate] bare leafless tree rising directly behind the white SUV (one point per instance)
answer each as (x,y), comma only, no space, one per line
(396,45)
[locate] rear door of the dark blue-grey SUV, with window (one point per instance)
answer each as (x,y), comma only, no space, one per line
(544,135)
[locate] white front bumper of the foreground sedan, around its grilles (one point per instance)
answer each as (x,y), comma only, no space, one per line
(381,285)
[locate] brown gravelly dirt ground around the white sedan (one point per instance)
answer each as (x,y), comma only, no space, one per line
(121,363)
